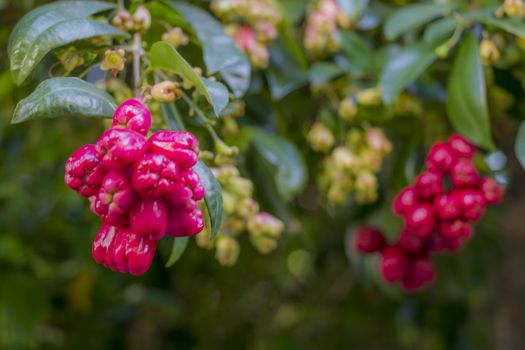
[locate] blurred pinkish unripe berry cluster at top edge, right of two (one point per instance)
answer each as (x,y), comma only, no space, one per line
(321,34)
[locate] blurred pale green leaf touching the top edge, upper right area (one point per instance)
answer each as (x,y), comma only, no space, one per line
(410,17)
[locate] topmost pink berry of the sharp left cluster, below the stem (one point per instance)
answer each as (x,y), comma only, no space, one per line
(133,115)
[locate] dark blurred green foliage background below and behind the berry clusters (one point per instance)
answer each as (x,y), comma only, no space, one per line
(312,293)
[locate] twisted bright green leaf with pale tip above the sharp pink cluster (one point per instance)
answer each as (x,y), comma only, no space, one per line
(164,56)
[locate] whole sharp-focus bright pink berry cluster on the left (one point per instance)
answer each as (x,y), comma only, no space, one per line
(142,188)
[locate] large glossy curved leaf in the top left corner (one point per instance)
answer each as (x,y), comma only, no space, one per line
(51,26)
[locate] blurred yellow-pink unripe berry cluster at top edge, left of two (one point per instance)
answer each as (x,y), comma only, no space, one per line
(253,24)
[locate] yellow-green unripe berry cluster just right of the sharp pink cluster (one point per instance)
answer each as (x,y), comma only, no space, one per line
(241,213)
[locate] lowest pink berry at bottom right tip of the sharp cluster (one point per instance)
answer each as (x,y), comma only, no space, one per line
(133,253)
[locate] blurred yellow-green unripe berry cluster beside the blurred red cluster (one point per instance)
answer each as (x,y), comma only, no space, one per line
(352,166)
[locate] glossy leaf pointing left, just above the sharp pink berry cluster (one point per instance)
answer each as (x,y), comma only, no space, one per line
(64,97)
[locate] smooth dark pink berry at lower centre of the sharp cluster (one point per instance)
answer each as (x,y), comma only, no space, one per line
(148,217)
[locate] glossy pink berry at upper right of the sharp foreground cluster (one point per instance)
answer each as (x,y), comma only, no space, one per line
(180,146)
